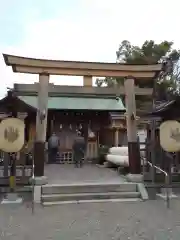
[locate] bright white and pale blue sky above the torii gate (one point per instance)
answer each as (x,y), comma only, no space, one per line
(81,30)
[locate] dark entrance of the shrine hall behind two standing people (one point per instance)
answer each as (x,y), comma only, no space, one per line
(67,123)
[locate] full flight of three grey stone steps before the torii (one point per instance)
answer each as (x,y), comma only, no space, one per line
(89,192)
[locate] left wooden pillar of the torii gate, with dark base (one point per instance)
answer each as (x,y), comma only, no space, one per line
(41,125)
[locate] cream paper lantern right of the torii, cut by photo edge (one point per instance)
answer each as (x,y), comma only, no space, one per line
(170,136)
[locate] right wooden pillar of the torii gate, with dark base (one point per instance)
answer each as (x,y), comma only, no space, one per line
(133,147)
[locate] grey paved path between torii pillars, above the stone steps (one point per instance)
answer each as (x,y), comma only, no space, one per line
(64,174)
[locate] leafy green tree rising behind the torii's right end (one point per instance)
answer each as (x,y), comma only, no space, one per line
(168,85)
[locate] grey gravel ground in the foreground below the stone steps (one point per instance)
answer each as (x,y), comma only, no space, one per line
(96,221)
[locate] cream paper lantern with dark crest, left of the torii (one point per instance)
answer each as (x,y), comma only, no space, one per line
(12,135)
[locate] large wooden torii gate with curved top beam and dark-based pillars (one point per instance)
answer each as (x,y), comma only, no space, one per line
(45,68)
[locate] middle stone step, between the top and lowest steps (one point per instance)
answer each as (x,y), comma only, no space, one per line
(88,196)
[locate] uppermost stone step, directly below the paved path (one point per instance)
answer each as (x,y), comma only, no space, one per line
(88,188)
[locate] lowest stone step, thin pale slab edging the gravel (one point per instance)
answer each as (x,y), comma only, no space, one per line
(128,200)
